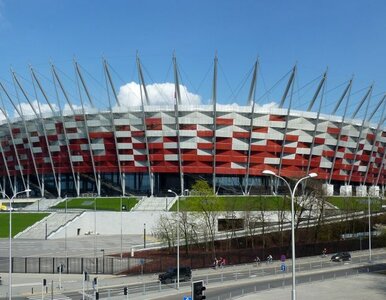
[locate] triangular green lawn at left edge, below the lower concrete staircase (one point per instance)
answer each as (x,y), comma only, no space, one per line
(20,221)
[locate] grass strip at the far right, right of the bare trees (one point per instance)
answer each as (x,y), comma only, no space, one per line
(355,203)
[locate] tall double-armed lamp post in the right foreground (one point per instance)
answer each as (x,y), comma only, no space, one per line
(311,175)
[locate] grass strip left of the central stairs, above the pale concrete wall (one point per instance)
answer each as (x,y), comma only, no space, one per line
(106,203)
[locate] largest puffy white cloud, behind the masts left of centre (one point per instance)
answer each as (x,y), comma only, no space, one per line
(159,94)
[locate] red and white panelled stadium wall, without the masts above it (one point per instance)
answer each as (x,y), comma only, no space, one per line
(238,141)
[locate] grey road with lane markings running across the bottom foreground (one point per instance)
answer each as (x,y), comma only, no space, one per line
(220,282)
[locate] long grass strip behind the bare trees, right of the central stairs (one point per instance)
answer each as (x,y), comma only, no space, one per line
(233,203)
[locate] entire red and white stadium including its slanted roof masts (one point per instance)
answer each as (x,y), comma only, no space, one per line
(150,149)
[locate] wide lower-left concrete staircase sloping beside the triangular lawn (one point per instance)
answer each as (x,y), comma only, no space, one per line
(48,225)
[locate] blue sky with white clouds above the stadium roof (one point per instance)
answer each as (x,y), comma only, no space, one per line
(348,37)
